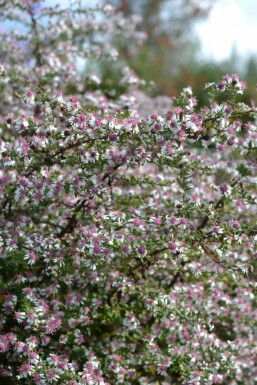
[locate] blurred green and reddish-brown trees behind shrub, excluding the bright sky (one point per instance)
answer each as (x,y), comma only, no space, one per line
(170,54)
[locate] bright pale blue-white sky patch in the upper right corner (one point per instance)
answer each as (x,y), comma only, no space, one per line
(231,24)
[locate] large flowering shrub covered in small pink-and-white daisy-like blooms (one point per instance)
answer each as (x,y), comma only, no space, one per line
(128,243)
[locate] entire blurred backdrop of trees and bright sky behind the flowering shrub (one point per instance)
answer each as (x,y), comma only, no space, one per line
(190,43)
